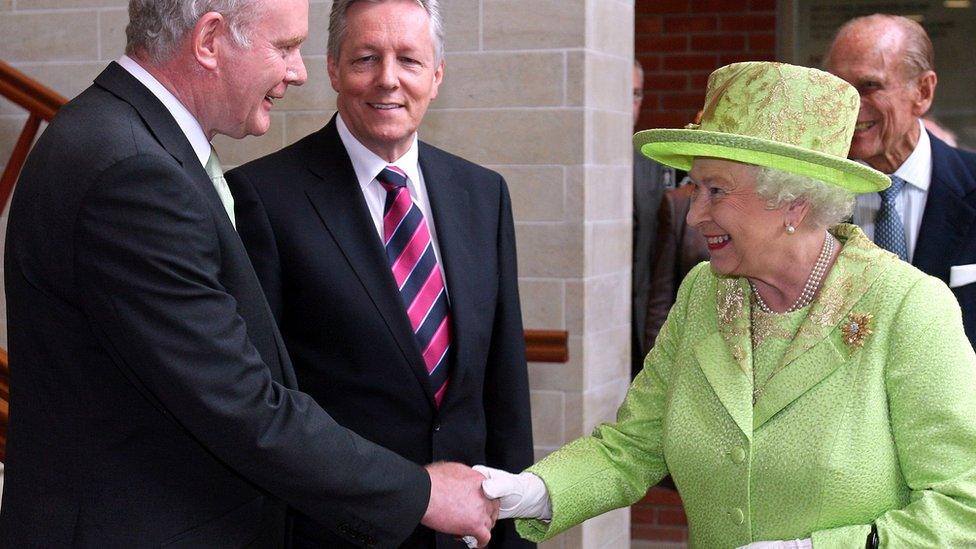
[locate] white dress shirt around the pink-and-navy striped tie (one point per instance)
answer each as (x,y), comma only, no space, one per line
(368,165)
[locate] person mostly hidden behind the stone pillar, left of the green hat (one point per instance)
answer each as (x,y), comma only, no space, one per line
(650,181)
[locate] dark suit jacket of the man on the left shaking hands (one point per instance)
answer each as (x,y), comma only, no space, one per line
(151,397)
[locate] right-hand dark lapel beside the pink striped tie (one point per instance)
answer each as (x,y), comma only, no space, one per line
(449,201)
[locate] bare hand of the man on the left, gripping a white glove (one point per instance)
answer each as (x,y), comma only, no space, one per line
(457,504)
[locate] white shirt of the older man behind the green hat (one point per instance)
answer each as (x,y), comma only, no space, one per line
(910,203)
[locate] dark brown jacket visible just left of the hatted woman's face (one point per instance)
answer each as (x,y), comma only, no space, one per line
(678,249)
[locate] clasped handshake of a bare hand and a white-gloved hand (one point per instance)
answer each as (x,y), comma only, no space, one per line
(467,502)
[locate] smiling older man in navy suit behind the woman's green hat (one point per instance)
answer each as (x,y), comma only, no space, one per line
(928,215)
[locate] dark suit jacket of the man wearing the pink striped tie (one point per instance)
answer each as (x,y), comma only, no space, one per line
(306,226)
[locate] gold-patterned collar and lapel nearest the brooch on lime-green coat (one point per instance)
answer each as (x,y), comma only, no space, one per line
(817,349)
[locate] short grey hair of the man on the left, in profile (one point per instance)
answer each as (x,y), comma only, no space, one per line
(157,27)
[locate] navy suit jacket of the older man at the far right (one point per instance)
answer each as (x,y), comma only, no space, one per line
(947,235)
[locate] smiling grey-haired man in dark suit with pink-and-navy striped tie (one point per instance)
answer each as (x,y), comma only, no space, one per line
(390,265)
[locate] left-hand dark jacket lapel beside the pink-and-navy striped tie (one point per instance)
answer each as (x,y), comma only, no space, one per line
(337,198)
